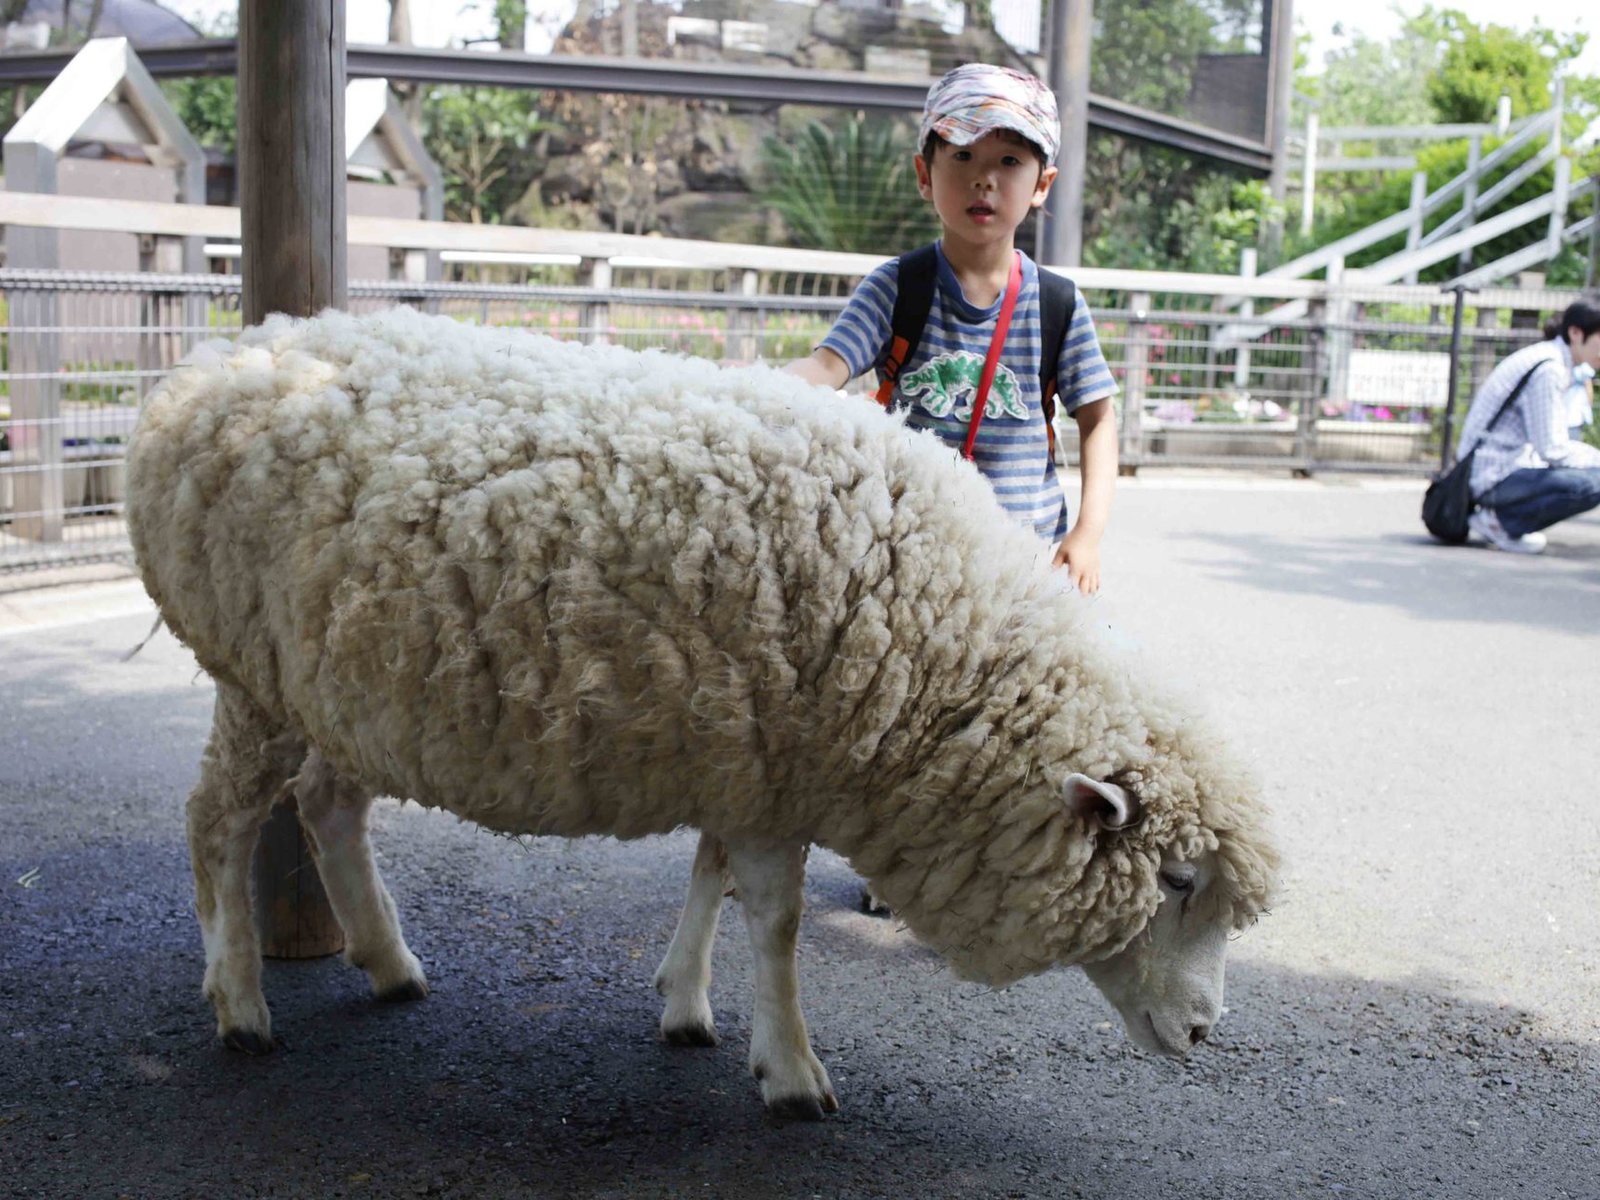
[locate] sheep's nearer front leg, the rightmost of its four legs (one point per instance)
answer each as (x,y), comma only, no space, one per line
(770,879)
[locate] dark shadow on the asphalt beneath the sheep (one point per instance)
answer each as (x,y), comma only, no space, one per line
(534,1070)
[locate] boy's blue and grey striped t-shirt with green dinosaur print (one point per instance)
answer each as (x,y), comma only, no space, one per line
(937,388)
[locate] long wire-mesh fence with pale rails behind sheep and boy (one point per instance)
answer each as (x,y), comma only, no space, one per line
(1354,385)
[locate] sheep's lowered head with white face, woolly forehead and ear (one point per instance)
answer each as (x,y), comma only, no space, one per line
(1167,983)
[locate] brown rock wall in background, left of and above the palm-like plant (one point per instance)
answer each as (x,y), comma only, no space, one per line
(694,169)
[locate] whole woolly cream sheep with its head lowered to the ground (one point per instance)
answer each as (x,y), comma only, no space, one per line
(566,590)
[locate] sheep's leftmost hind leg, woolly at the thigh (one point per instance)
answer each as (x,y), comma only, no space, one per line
(246,764)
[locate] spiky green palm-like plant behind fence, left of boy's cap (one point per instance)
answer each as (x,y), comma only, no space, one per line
(852,188)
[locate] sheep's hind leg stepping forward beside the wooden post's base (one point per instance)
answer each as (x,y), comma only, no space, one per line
(334,814)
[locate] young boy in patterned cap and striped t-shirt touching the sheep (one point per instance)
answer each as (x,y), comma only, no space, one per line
(990,140)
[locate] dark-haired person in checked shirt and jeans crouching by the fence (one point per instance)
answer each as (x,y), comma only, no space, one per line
(1529,471)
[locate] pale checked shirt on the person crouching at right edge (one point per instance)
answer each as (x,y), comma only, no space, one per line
(1534,431)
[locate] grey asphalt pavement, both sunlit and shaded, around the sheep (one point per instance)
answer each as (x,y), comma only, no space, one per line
(1417,1018)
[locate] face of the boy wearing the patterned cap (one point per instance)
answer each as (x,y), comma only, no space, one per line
(985,191)
